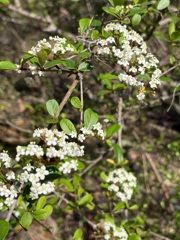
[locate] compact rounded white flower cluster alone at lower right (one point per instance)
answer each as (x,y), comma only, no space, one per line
(122,183)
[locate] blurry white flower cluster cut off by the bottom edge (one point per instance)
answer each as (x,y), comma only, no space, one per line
(114,232)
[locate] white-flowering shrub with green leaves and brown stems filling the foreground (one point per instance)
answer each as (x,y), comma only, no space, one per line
(56,160)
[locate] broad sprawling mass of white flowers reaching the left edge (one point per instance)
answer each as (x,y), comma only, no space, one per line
(55,145)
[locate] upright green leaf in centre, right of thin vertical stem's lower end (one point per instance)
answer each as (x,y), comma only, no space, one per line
(90,118)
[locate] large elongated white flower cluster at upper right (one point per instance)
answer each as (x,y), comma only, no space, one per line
(130,52)
